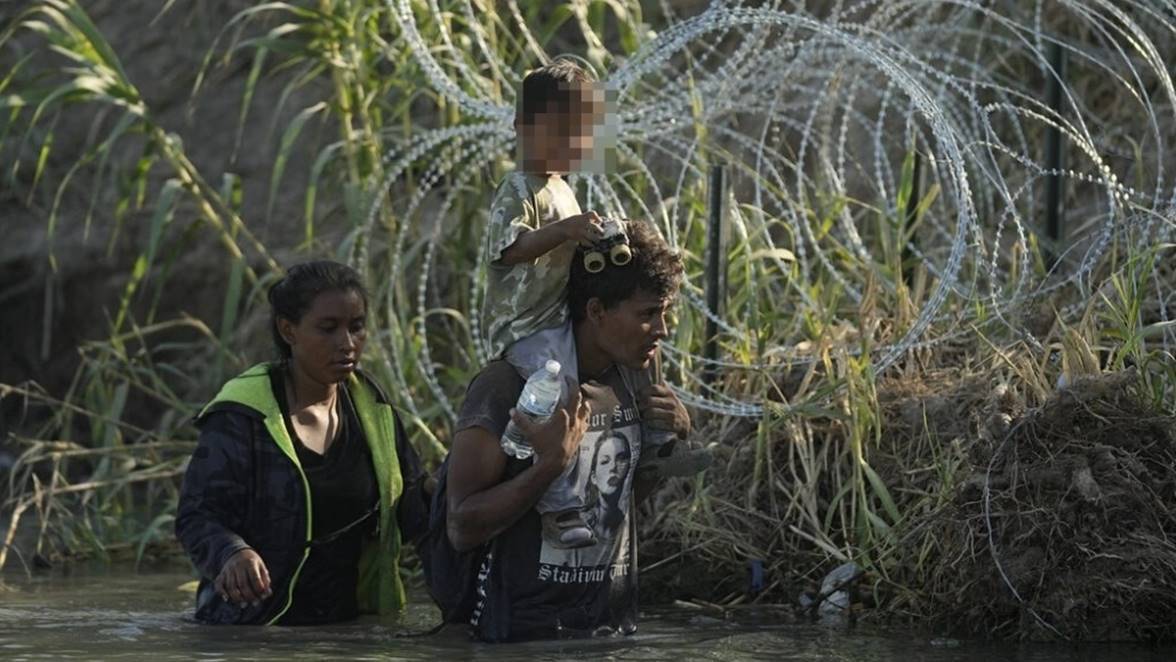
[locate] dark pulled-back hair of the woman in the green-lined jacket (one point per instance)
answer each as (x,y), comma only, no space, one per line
(293,296)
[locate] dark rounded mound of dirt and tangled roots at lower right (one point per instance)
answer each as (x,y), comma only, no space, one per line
(1074,533)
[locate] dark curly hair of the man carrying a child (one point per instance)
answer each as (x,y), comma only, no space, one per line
(654,269)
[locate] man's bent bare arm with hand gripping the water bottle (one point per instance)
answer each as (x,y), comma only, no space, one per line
(480,504)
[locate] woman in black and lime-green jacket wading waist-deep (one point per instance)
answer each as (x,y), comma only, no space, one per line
(304,486)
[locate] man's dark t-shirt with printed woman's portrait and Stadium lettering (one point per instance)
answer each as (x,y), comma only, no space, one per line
(529,586)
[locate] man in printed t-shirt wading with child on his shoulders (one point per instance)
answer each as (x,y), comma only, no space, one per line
(526,586)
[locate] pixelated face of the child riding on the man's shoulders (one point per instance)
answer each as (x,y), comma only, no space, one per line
(564,143)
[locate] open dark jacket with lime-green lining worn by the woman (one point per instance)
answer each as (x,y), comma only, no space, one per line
(245,489)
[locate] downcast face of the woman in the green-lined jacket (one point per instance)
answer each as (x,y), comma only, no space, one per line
(328,343)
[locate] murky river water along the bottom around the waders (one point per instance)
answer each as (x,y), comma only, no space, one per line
(106,614)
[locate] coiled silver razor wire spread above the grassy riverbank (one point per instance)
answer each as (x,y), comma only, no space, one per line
(806,110)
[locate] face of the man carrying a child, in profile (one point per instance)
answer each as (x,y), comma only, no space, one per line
(632,331)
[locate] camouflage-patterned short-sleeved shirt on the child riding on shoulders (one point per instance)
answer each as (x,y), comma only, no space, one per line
(530,297)
